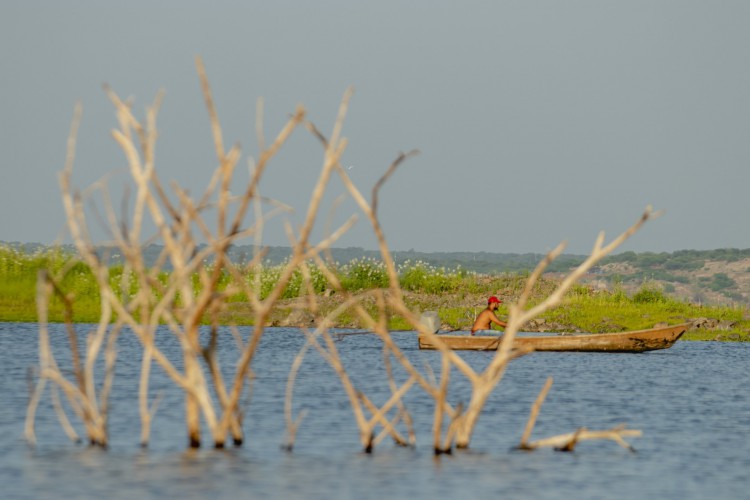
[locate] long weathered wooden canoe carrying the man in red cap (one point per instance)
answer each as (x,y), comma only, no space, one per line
(634,341)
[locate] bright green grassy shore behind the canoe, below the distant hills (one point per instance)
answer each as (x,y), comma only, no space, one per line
(456,295)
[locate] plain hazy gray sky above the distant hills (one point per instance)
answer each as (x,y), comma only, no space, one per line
(537,121)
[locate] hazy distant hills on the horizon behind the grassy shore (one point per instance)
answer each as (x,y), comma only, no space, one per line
(719,276)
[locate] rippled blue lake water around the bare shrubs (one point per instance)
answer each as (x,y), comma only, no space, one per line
(692,403)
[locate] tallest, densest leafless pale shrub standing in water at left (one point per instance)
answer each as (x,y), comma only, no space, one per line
(179,226)
